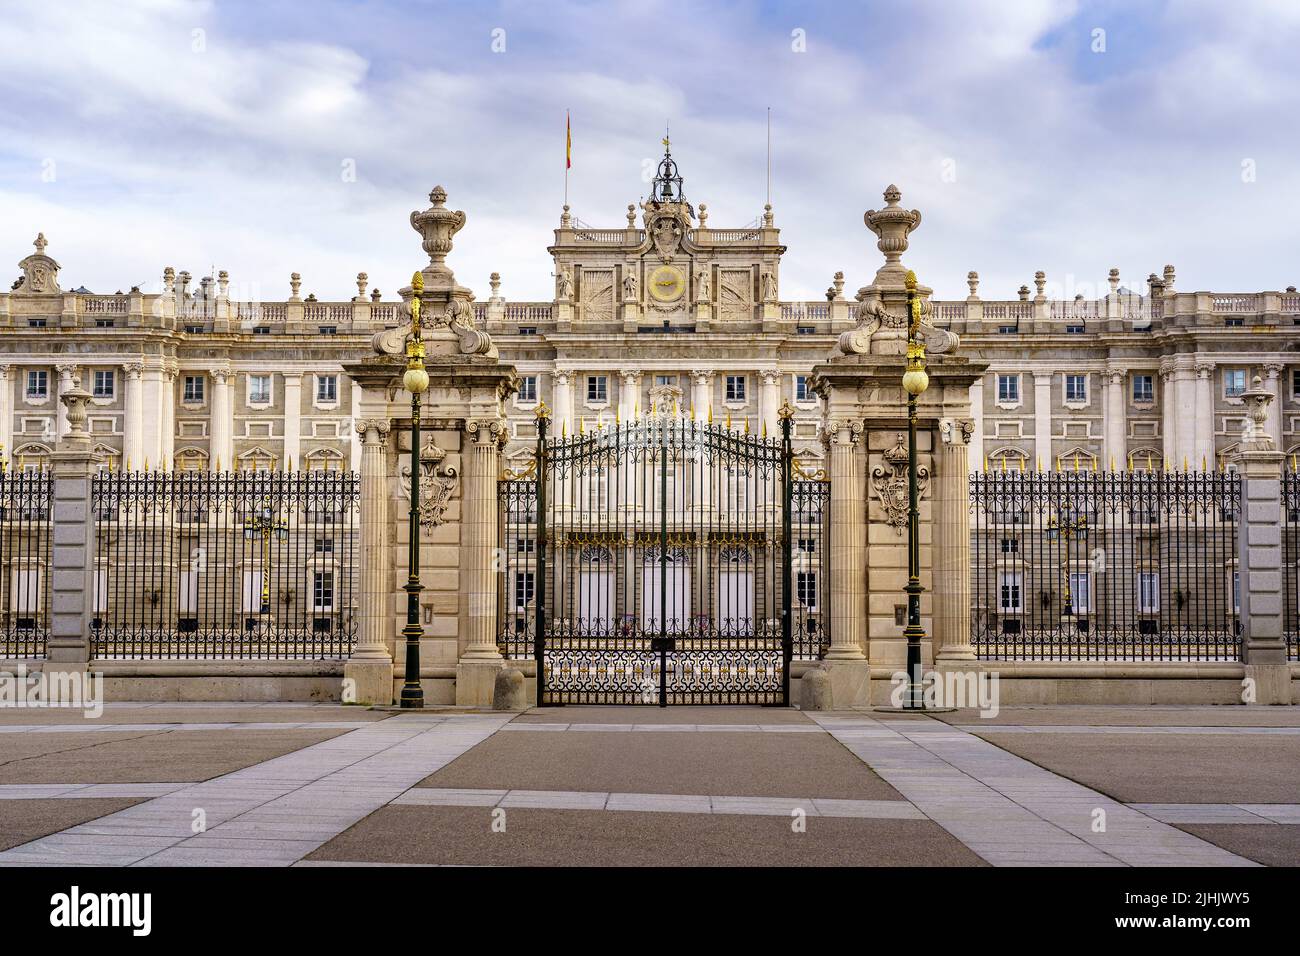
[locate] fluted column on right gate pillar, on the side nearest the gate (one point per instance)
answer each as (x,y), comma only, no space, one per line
(848,542)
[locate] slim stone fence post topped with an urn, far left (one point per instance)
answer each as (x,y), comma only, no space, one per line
(72,578)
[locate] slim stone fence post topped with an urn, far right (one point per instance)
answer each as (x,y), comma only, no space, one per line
(1259,557)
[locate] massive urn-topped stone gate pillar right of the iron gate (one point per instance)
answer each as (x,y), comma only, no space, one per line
(866,427)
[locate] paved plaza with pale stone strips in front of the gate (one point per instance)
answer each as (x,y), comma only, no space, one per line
(291,785)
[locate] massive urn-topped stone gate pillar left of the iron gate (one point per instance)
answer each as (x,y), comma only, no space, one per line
(463,427)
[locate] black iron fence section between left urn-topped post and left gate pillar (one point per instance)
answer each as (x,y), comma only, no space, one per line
(226,565)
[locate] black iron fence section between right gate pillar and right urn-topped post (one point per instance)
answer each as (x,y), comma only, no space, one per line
(1072,566)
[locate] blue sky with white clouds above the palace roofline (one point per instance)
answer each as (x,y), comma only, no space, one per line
(274,137)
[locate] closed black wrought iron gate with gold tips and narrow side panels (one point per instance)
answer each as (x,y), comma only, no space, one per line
(664,561)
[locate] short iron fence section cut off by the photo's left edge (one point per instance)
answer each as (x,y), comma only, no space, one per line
(25,501)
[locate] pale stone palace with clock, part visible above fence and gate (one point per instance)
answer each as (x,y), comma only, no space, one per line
(188,378)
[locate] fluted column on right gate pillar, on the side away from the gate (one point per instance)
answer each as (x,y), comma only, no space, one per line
(952,531)
